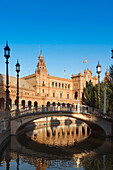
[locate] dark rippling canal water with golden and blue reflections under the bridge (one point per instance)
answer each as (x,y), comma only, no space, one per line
(57,146)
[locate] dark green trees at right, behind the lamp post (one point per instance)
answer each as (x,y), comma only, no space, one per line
(90,95)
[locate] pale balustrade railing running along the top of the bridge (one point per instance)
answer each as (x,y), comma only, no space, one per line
(77,108)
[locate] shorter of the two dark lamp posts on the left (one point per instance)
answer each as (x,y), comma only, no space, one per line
(17,70)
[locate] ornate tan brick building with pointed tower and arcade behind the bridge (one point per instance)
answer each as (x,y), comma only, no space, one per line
(42,89)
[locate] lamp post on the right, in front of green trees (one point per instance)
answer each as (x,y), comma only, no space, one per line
(98,67)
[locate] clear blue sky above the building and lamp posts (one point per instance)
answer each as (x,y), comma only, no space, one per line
(68,31)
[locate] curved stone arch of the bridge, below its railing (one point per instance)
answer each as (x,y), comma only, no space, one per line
(26,119)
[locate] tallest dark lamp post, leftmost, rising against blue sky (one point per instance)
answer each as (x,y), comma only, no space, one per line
(7,56)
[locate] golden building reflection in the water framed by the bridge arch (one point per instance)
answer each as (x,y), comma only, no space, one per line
(60,135)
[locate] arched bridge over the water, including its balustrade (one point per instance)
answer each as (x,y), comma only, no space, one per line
(98,123)
